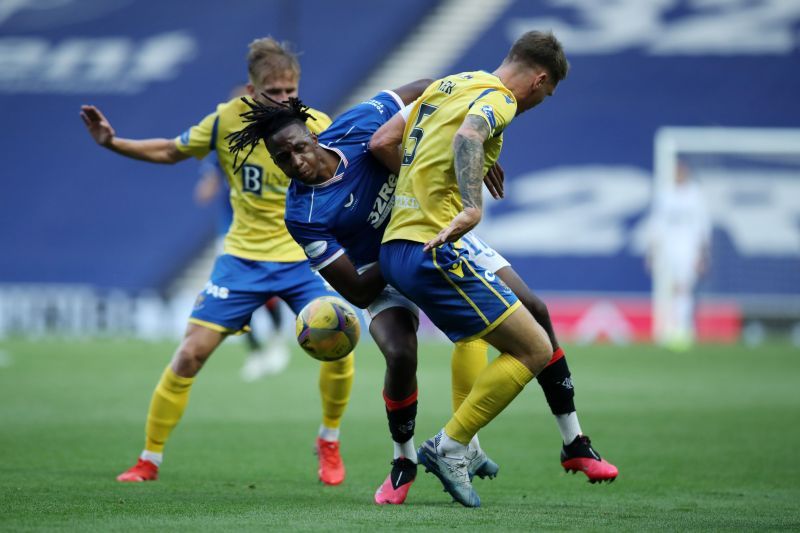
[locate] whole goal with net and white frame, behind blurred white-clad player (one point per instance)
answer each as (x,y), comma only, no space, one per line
(749,180)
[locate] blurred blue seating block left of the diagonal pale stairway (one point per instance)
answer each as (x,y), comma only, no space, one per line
(71,212)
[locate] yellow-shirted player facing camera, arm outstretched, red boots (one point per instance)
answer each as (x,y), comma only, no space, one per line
(261,260)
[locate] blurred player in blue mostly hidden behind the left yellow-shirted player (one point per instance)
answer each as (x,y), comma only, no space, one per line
(212,188)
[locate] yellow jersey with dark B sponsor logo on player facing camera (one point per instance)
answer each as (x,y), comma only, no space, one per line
(258,189)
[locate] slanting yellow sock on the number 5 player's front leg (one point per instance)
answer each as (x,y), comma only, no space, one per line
(503,379)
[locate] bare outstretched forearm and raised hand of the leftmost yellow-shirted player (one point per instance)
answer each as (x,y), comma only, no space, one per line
(152,150)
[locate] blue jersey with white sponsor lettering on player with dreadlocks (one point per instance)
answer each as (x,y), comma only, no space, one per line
(349,212)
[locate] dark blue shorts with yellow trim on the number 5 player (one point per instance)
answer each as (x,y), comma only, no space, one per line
(462,299)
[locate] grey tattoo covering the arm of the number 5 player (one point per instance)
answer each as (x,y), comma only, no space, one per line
(468,160)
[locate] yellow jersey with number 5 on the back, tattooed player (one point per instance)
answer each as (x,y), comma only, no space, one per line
(427,196)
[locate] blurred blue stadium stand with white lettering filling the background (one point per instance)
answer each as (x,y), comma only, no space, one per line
(579,173)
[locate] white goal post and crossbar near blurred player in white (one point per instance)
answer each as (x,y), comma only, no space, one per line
(672,143)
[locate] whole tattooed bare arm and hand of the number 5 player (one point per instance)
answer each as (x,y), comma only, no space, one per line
(468,157)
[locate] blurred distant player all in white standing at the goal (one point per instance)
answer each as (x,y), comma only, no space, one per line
(680,240)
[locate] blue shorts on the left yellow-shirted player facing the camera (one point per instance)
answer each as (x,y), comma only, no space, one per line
(240,286)
